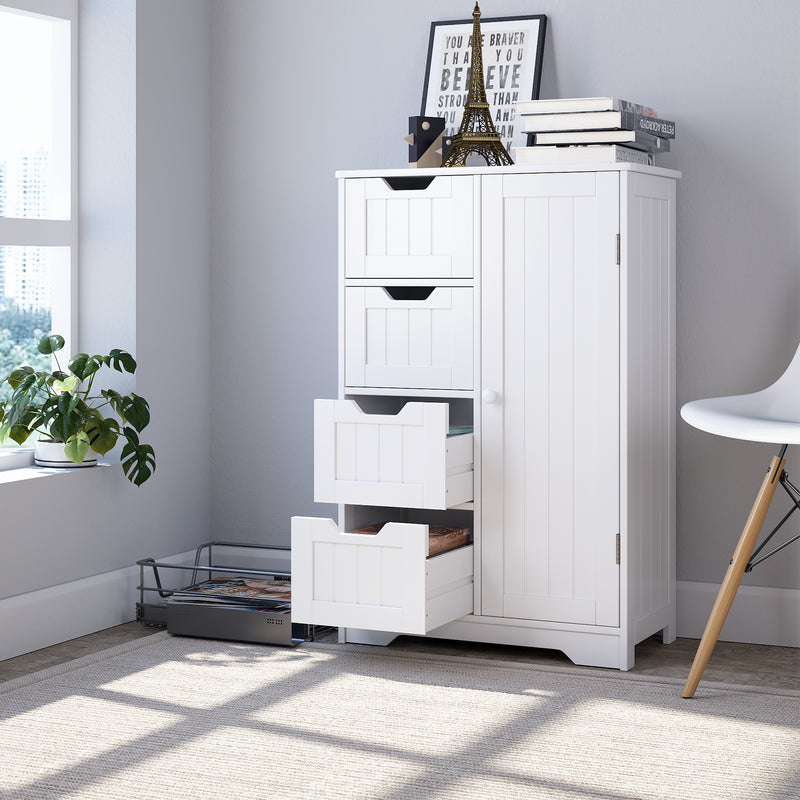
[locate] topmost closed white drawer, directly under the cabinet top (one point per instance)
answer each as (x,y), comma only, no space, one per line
(409,233)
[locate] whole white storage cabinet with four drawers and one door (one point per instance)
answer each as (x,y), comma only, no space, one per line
(561,345)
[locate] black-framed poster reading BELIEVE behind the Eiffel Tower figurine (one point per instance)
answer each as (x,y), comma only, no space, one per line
(512,51)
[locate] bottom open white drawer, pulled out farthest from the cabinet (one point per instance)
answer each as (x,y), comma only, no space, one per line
(381,582)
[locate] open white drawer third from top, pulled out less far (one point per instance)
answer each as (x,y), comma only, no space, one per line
(406,460)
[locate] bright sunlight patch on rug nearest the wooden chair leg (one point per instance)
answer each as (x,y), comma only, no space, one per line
(621,746)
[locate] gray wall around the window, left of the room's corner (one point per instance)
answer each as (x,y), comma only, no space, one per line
(143,287)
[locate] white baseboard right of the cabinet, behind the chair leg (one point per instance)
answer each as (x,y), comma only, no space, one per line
(759,615)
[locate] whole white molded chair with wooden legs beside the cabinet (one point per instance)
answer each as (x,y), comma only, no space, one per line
(771,415)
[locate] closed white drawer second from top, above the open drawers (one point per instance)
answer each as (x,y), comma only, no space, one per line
(409,337)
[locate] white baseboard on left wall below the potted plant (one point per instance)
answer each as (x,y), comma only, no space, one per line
(49,616)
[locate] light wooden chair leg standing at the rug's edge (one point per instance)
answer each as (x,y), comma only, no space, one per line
(733,577)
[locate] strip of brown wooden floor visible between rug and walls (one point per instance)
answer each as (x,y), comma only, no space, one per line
(754,665)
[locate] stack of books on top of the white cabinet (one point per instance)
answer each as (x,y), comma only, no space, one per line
(596,129)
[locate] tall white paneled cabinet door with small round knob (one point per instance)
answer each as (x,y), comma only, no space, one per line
(551,400)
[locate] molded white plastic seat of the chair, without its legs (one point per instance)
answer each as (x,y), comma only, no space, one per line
(771,415)
